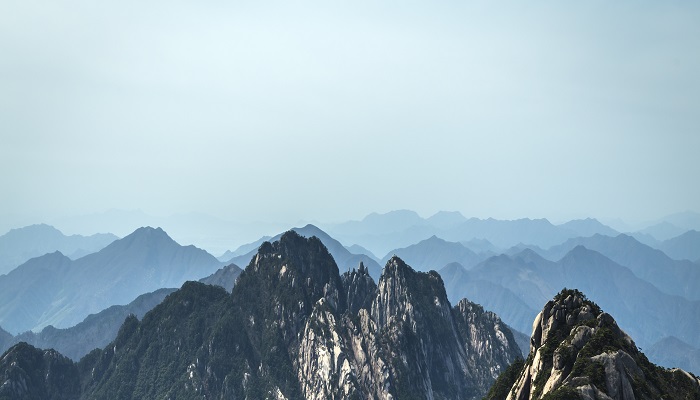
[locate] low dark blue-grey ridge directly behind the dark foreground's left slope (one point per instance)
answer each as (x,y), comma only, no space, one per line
(95,331)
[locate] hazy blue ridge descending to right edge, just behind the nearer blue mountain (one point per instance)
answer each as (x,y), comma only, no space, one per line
(677,277)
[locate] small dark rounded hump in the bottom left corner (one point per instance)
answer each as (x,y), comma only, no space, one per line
(28,373)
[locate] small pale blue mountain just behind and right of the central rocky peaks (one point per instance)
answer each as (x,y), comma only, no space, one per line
(433,253)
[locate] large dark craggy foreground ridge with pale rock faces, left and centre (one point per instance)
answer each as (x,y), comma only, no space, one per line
(292,328)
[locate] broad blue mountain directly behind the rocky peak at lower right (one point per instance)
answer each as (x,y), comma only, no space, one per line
(523,280)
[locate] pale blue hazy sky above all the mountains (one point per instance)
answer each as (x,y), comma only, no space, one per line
(329,110)
